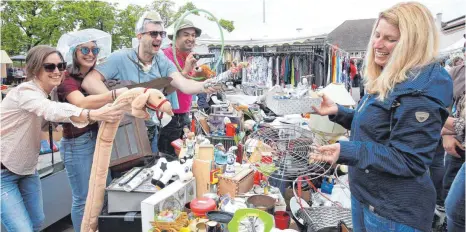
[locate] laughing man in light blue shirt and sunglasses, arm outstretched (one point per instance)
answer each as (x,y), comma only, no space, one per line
(144,64)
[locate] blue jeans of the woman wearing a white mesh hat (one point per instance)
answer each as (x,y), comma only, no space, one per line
(77,155)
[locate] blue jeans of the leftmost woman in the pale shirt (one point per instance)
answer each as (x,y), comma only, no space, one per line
(22,206)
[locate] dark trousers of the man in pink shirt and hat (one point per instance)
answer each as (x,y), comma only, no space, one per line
(171,132)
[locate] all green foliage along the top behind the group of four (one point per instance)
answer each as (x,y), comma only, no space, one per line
(25,24)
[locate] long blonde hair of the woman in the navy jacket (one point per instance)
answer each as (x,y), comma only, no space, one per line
(417,47)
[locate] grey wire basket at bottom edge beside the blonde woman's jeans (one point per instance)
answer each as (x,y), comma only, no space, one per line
(324,218)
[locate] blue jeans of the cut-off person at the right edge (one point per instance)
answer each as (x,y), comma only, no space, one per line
(454,204)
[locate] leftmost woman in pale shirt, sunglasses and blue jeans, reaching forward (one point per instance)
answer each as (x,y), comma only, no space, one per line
(23,113)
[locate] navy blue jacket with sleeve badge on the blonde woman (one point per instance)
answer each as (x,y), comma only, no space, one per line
(392,145)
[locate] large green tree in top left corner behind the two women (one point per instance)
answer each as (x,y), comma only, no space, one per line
(26,24)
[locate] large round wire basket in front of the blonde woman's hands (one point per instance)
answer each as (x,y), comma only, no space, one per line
(283,153)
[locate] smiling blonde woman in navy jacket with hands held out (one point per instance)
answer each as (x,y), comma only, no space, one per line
(396,127)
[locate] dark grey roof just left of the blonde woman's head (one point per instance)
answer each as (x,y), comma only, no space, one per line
(352,35)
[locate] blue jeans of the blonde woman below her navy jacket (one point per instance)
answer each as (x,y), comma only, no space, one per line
(366,220)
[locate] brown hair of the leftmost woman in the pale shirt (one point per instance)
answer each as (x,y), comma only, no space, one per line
(36,57)
